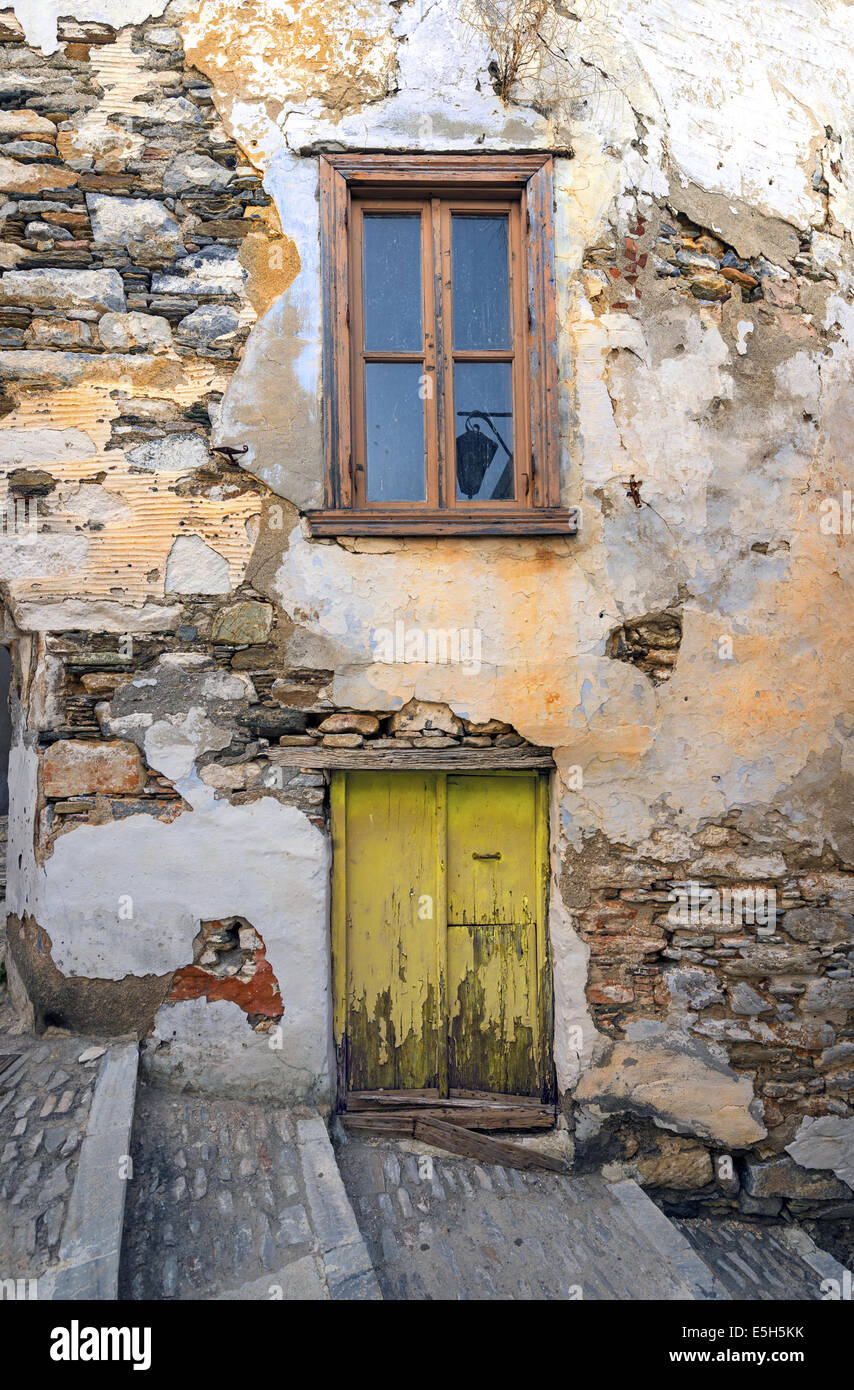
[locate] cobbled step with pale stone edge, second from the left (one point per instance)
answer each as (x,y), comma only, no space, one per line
(237,1200)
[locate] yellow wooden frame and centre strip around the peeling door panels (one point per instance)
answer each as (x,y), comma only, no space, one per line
(339,922)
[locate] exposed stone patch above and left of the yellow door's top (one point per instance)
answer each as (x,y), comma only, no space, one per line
(91,775)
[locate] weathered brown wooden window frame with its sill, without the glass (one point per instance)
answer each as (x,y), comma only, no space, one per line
(524,181)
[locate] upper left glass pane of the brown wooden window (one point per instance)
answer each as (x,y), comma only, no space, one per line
(393,283)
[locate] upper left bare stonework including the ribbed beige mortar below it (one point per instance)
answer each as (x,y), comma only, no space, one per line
(138,245)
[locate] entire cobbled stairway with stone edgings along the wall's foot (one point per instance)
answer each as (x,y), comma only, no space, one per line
(237,1200)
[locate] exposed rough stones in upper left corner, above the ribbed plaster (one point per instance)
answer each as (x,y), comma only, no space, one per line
(115,243)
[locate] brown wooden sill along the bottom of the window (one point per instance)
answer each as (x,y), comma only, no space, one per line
(461,522)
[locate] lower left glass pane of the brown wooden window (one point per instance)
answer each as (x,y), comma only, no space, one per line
(394,415)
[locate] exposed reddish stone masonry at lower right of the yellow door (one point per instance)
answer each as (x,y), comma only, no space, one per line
(775,993)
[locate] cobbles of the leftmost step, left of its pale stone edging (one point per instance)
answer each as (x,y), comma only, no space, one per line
(45,1099)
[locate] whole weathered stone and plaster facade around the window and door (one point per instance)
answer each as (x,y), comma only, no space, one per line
(191,662)
